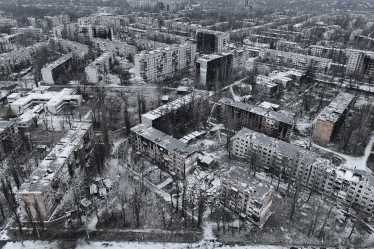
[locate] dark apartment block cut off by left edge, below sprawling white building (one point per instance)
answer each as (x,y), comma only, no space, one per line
(9,137)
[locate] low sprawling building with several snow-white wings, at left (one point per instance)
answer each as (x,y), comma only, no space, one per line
(53,102)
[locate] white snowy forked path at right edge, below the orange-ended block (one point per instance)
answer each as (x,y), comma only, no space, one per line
(351,161)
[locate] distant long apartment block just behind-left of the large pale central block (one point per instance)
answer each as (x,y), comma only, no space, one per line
(119,48)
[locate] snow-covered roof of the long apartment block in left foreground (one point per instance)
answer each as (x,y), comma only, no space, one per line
(55,160)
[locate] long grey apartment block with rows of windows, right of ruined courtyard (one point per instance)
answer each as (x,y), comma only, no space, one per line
(278,157)
